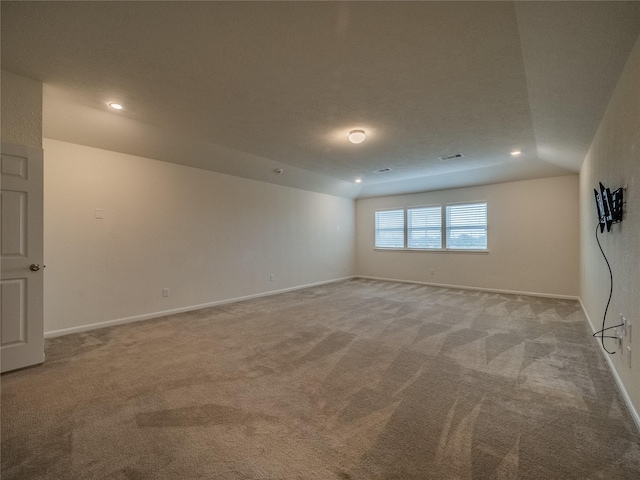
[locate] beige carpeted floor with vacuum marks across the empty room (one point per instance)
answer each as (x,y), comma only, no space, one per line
(354,380)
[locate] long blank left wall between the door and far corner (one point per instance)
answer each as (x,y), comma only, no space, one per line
(206,236)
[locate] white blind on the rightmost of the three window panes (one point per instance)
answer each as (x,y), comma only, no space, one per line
(467,227)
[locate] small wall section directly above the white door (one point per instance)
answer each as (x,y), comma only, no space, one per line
(21,112)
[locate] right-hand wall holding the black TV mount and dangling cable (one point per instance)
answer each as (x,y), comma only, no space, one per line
(614,160)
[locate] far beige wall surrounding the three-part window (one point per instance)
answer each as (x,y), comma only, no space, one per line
(532,239)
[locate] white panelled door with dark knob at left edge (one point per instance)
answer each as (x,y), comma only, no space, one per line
(21,238)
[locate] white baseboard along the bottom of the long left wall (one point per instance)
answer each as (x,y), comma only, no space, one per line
(164,313)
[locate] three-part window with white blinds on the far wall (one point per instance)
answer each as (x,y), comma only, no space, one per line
(422,228)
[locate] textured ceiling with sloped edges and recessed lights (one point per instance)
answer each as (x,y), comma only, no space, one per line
(247,87)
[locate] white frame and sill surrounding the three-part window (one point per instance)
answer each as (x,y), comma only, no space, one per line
(444,247)
